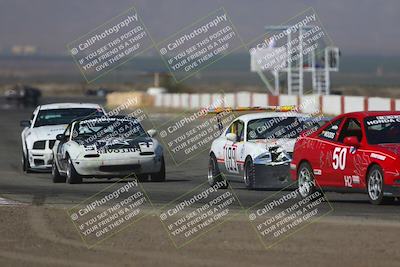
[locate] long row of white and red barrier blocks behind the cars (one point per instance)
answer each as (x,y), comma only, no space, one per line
(327,104)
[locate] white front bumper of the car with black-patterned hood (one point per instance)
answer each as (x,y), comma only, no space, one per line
(117,167)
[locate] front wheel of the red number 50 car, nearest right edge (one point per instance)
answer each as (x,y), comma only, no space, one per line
(375,184)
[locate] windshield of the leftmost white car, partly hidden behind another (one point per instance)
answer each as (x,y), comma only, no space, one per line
(64,116)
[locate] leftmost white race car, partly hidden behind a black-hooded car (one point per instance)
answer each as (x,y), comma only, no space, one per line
(39,133)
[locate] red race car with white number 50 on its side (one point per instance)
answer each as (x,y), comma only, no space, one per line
(354,152)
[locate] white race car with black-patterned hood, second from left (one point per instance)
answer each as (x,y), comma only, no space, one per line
(107,147)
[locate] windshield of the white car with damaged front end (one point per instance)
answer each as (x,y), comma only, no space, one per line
(279,127)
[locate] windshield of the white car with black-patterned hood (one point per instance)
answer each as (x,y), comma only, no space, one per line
(96,130)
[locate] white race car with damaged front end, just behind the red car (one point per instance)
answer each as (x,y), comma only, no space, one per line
(257,148)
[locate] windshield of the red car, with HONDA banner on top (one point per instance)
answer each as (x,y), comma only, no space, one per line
(382,129)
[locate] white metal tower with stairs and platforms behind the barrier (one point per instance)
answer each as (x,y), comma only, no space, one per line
(296,57)
